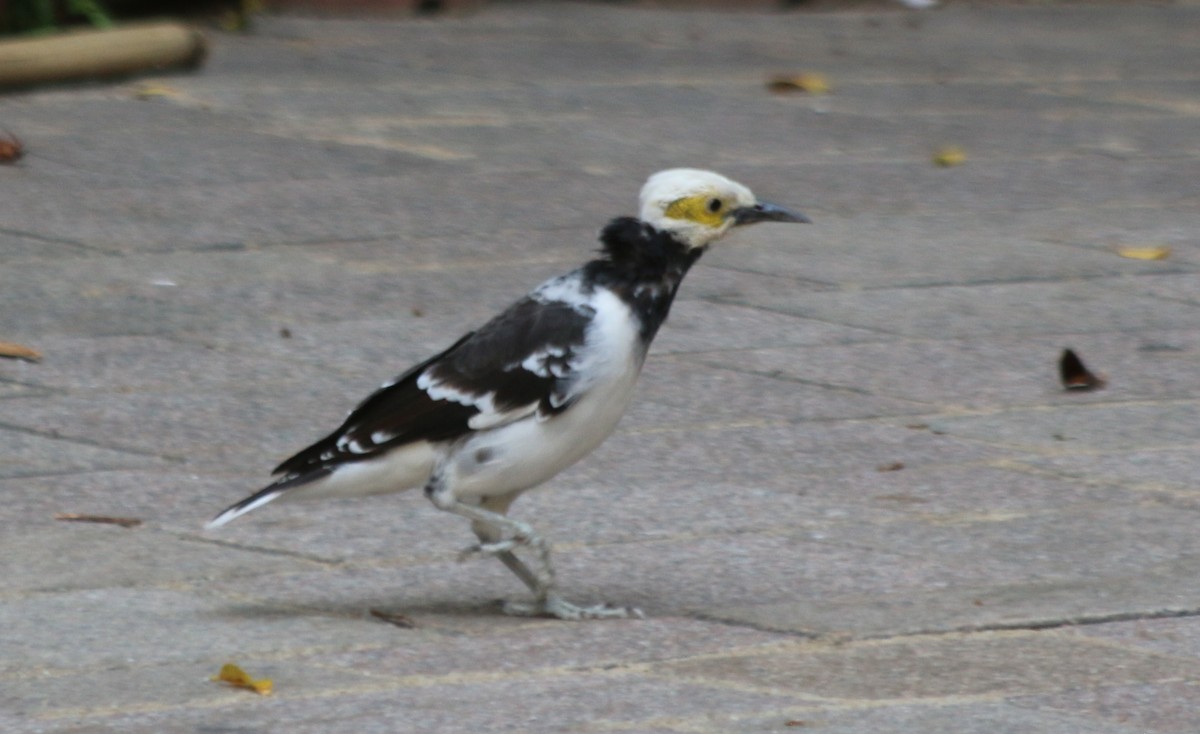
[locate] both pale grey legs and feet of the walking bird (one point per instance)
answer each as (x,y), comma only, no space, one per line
(491,527)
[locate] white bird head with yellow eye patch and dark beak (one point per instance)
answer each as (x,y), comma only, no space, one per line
(699,207)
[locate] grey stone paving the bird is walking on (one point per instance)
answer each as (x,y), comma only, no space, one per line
(853,498)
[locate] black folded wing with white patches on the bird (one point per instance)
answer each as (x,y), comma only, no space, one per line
(523,362)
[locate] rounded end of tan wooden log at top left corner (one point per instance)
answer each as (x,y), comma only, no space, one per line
(89,55)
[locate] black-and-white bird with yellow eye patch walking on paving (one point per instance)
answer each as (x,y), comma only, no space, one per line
(532,392)
